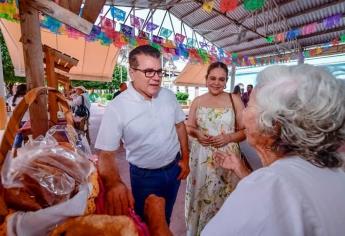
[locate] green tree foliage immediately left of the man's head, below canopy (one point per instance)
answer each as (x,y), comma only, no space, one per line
(111,86)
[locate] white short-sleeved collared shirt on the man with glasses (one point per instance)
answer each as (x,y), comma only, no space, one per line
(147,127)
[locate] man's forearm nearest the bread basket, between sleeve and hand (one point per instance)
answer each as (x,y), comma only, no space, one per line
(107,168)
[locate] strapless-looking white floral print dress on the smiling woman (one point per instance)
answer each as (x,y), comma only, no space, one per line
(207,185)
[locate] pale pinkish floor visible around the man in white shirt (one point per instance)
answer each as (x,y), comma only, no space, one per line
(177,223)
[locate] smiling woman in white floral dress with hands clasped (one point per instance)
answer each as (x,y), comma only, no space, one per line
(211,127)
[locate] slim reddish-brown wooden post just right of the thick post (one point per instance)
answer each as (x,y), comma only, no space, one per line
(51,82)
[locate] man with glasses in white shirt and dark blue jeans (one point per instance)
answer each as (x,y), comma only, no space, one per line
(150,122)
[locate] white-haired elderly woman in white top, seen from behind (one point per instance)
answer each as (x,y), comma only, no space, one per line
(295,120)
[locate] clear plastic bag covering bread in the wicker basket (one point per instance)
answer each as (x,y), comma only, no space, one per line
(46,171)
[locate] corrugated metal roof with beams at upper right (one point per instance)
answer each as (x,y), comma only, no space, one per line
(245,32)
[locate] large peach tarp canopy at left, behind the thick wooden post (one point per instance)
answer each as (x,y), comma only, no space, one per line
(96,61)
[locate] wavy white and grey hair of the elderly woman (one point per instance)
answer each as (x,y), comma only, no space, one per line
(304,108)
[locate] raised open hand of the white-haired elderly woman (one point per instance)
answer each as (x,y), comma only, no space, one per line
(231,162)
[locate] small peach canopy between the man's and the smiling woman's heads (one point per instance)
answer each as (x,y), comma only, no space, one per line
(193,75)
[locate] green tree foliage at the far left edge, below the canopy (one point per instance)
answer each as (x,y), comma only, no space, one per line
(8,68)
